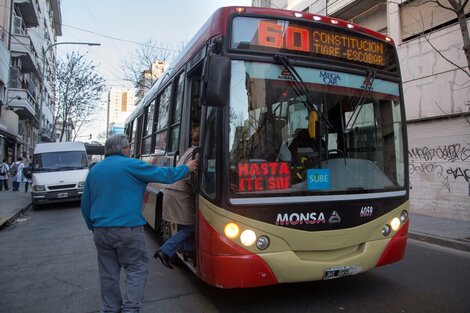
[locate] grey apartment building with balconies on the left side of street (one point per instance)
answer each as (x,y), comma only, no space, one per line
(28,29)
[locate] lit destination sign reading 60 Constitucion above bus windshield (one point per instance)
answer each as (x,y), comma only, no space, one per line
(284,35)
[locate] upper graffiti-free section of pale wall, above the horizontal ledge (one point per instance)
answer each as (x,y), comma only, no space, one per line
(433,86)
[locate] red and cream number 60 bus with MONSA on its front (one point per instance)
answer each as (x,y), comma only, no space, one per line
(303,163)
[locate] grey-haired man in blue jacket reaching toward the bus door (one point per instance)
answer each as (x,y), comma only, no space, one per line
(111,206)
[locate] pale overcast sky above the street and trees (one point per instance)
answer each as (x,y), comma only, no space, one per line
(120,25)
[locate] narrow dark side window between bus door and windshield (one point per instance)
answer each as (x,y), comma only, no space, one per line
(208,182)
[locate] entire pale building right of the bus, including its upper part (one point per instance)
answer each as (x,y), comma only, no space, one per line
(436,84)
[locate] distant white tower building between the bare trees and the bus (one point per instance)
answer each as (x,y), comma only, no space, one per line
(121,102)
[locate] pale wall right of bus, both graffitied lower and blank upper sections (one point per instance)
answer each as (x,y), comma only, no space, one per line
(439,149)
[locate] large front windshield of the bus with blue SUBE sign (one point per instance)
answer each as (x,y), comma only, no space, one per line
(352,142)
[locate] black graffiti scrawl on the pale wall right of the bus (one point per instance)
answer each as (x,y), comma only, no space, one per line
(444,162)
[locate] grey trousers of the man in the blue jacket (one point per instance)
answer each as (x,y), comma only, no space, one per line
(122,247)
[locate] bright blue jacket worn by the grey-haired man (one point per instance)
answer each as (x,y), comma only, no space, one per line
(114,190)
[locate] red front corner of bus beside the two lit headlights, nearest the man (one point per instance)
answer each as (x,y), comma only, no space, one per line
(224,264)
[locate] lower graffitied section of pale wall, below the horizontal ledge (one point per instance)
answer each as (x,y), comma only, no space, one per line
(439,154)
